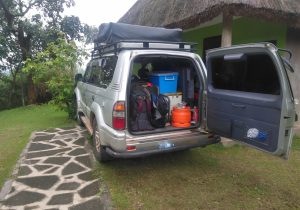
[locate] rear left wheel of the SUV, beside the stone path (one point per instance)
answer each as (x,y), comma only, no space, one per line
(99,151)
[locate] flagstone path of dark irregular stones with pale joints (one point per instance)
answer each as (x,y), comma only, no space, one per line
(54,173)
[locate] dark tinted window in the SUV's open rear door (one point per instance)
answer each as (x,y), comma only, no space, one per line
(254,73)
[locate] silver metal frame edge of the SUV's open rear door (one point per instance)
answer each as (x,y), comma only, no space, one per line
(287,104)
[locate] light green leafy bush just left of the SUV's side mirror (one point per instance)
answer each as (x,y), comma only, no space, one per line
(54,67)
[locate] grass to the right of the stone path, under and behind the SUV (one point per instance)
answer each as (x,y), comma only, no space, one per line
(209,178)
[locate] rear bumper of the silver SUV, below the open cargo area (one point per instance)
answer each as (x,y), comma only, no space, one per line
(155,147)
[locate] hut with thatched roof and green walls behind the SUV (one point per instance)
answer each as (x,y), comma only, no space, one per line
(215,23)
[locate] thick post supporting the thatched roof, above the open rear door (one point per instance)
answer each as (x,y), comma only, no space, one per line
(227,30)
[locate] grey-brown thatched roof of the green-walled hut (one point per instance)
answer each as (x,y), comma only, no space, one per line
(190,13)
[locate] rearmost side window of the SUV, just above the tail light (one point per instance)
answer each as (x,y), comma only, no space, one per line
(108,68)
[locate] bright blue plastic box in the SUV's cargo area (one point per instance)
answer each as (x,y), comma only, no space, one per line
(165,81)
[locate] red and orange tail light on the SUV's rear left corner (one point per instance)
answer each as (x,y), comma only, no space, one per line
(119,114)
